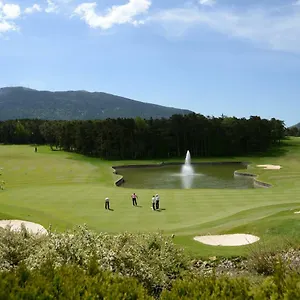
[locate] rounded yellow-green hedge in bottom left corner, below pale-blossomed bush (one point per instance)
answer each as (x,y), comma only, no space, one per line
(67,282)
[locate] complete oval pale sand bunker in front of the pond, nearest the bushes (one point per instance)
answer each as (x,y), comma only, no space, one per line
(227,239)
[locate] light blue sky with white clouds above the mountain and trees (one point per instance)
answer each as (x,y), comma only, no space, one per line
(233,57)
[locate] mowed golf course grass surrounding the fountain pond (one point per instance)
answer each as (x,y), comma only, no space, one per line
(66,189)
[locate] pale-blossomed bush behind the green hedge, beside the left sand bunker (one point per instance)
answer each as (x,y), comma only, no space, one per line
(151,258)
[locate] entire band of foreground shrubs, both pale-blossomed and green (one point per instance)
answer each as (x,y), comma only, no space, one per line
(82,264)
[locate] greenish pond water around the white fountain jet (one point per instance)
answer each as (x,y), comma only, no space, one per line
(206,176)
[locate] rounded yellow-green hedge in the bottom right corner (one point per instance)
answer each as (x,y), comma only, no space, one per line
(282,285)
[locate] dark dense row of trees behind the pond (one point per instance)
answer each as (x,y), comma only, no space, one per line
(128,138)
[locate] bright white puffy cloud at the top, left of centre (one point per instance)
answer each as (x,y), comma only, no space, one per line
(117,14)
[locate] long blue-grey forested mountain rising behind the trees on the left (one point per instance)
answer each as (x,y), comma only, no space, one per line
(24,103)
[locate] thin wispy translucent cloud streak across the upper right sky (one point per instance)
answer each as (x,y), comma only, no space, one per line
(277,29)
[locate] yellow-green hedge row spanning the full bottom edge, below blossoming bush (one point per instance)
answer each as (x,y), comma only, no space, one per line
(74,282)
